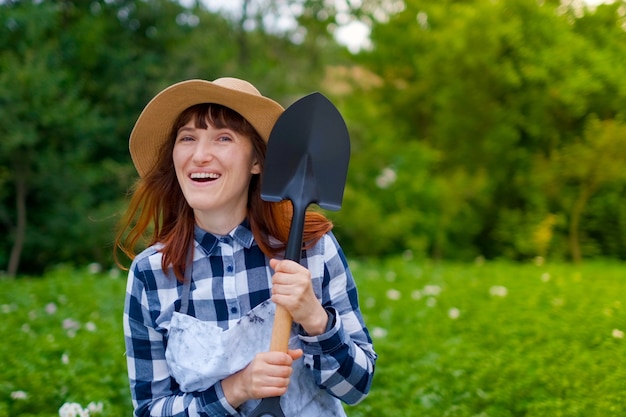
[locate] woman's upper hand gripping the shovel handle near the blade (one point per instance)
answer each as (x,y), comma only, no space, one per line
(292,289)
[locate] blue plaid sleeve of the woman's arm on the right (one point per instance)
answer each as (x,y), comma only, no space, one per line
(342,359)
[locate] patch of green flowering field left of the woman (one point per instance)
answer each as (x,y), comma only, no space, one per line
(63,343)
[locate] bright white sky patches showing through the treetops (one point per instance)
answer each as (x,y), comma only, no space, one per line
(353,34)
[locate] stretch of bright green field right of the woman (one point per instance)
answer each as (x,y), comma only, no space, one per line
(546,348)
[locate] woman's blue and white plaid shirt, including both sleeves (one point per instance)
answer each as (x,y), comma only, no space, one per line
(230,277)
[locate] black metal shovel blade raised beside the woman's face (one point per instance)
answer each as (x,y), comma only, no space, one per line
(307,155)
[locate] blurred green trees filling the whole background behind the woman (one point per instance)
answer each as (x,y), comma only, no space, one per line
(475,125)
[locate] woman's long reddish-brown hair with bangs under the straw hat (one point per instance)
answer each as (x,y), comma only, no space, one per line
(159,213)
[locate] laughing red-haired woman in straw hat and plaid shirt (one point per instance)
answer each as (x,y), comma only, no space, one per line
(200,299)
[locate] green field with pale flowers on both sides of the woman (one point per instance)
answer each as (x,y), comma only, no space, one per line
(484,339)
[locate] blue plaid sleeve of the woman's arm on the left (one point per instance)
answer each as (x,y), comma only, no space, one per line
(154,391)
